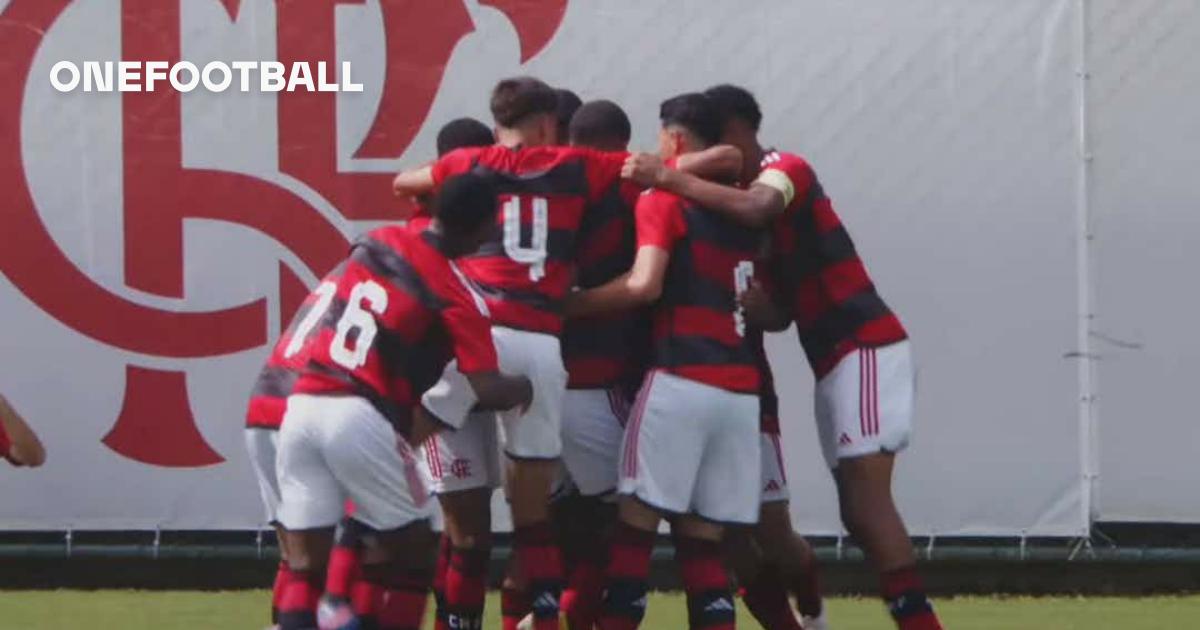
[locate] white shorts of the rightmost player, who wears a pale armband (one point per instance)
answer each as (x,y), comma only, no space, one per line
(865,405)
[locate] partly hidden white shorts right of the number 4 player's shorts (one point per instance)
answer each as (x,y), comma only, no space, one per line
(593,430)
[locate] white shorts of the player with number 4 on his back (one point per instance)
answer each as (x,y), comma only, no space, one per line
(531,436)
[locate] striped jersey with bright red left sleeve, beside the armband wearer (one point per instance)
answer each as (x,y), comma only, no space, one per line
(700,332)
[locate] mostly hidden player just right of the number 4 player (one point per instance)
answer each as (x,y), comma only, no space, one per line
(605,361)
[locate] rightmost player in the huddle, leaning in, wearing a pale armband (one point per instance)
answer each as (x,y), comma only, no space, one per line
(855,344)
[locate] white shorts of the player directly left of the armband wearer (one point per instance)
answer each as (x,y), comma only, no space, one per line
(692,448)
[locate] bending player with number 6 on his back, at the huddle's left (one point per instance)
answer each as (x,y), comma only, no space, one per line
(362,344)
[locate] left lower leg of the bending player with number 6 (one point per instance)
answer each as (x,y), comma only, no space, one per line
(308,554)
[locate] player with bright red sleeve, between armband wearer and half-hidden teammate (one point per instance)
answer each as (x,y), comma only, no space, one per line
(692,445)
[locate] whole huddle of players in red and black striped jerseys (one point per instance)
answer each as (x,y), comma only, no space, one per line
(581,327)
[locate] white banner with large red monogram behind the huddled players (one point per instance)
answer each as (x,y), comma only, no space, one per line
(151,241)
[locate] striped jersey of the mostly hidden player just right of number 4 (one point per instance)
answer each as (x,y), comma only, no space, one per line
(610,350)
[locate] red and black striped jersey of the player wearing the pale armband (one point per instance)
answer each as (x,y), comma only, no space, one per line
(818,273)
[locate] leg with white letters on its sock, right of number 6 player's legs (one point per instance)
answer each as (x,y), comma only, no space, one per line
(469,525)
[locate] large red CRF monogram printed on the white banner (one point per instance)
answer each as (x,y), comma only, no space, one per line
(159,193)
